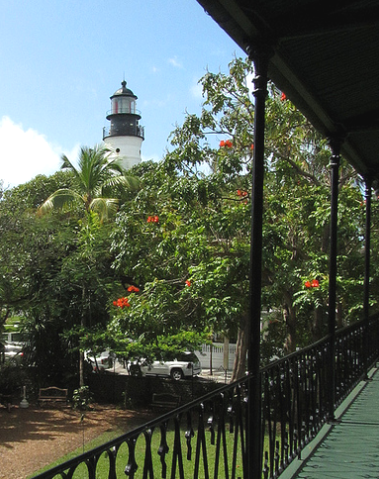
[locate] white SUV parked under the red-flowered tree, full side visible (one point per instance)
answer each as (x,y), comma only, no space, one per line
(183,366)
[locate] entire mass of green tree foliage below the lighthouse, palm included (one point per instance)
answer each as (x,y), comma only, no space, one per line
(172,270)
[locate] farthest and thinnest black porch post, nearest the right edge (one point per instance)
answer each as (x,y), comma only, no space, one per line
(366,299)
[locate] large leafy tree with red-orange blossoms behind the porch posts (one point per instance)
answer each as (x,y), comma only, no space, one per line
(200,193)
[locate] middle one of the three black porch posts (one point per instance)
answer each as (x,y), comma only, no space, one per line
(335,145)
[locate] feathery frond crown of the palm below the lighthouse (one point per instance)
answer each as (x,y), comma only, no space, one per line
(95,178)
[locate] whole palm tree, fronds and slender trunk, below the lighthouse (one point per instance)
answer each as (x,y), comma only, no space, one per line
(95,180)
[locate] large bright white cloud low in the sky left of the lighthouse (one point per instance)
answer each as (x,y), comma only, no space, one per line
(25,154)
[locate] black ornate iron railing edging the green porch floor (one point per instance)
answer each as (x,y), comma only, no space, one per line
(207,437)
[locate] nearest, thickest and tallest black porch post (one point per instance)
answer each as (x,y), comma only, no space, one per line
(260,55)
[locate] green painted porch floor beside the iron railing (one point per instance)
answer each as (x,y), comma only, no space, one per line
(351,447)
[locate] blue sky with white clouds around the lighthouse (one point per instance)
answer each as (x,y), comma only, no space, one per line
(61,60)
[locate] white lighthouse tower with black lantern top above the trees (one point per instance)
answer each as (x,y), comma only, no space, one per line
(124,135)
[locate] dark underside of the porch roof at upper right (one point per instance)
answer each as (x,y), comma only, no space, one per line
(326,60)
